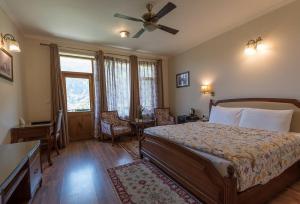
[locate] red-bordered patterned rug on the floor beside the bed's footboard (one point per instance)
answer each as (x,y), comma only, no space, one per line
(142,183)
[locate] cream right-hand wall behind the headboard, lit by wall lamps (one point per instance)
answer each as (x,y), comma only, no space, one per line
(222,63)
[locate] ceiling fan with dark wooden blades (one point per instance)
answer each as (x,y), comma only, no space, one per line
(150,19)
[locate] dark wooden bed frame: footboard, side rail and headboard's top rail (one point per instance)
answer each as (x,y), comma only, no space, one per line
(198,175)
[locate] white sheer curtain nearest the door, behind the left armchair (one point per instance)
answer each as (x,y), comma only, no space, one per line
(117,78)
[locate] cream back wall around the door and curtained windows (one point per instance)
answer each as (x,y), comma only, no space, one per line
(37,76)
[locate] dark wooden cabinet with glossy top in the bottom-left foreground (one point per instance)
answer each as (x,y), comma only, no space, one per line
(20,172)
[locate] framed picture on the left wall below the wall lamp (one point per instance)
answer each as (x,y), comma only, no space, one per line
(6,65)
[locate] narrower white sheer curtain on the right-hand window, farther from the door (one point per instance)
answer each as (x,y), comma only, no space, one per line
(148,86)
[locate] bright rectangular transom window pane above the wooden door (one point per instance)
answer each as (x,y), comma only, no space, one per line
(73,64)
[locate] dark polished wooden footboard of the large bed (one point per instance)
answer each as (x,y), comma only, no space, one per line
(195,173)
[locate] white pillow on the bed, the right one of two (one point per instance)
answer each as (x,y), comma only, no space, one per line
(272,120)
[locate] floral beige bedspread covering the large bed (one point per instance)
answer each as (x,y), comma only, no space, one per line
(257,155)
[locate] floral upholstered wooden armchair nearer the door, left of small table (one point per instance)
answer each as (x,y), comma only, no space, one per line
(112,126)
